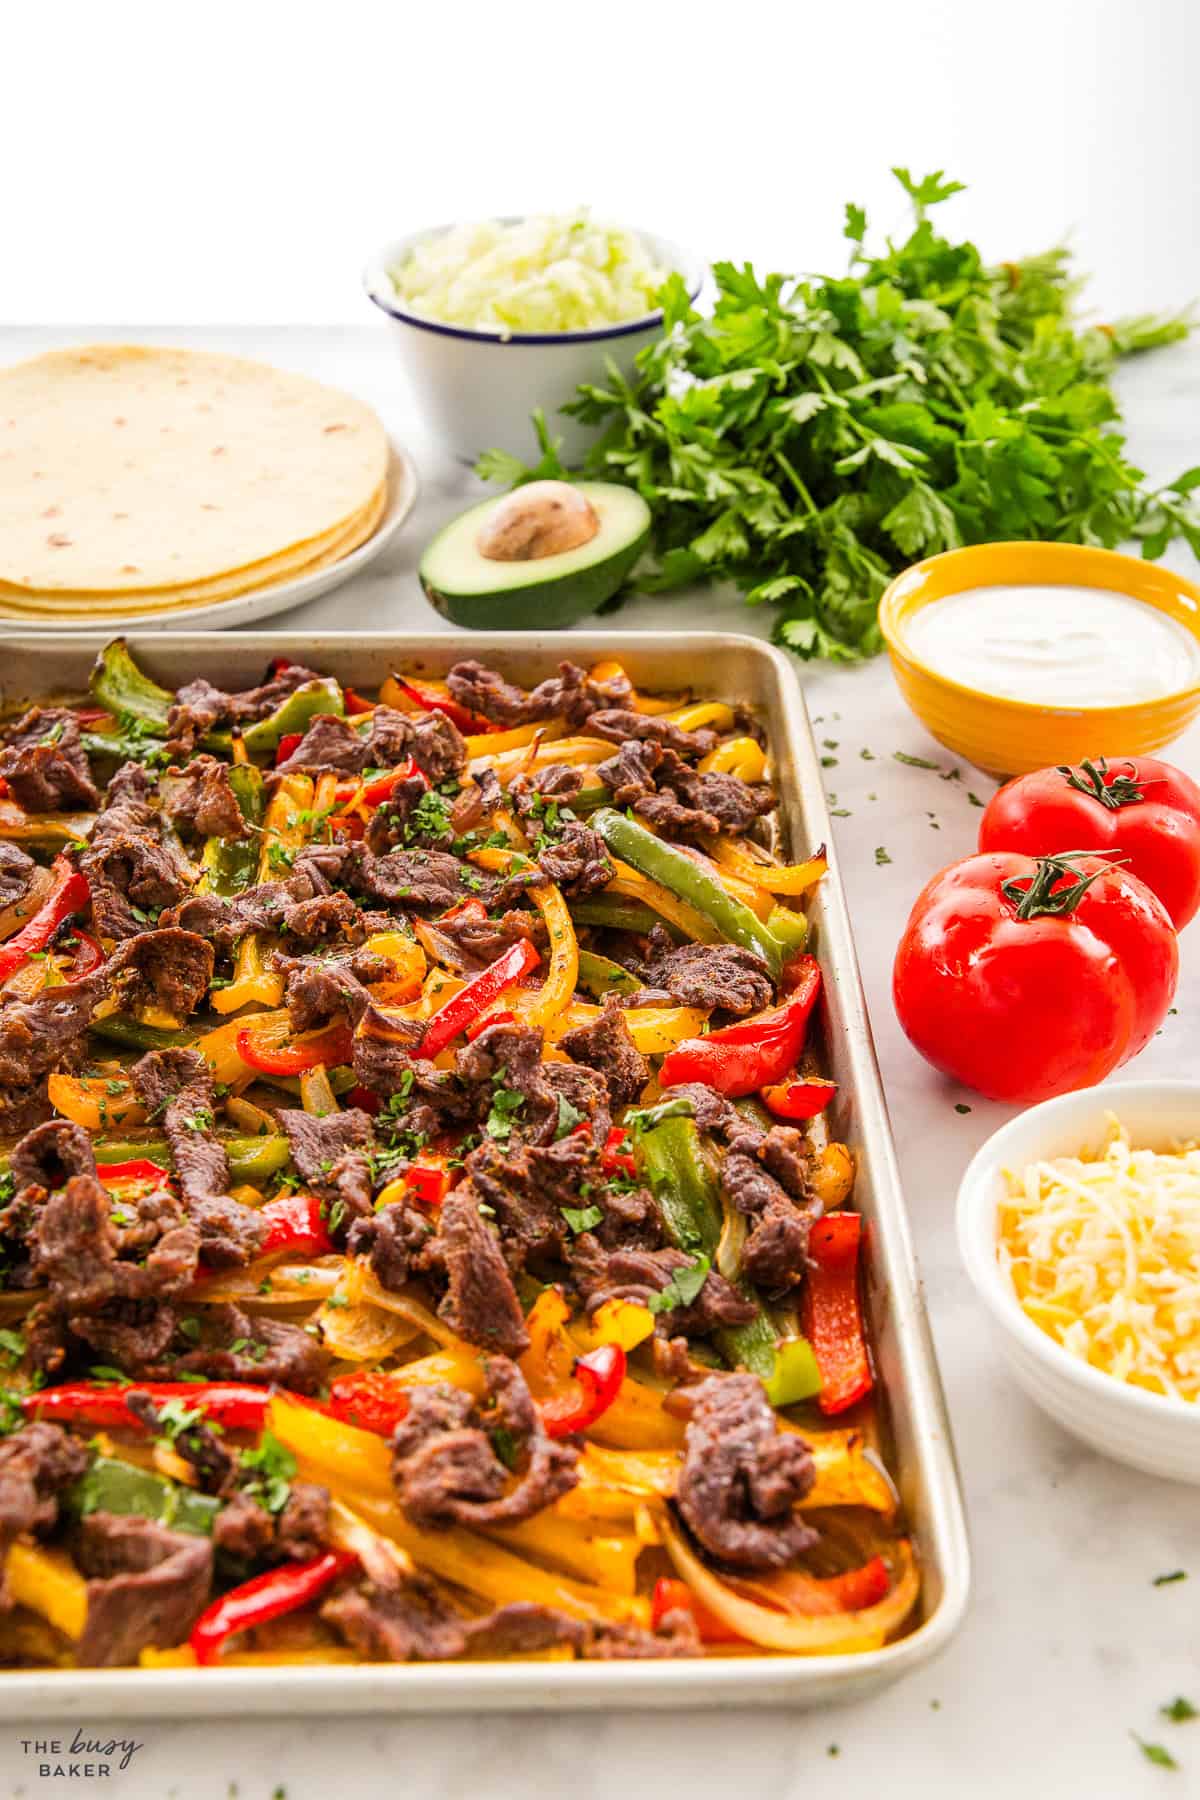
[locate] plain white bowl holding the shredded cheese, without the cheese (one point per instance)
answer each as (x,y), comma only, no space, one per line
(1151,1432)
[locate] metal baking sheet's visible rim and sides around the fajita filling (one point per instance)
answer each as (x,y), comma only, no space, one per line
(913,1414)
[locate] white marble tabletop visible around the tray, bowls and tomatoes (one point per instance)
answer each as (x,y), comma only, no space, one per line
(1070,1646)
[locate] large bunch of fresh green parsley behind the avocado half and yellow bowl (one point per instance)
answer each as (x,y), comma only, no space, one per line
(814,436)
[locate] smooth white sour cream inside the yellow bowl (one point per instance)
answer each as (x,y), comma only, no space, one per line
(1052,645)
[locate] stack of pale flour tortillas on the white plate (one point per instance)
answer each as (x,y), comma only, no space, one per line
(141,481)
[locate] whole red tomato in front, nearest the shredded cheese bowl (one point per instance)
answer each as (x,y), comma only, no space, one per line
(1032,978)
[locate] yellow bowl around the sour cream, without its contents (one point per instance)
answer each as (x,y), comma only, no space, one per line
(1014,737)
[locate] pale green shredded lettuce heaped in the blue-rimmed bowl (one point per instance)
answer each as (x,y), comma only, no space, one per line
(555,273)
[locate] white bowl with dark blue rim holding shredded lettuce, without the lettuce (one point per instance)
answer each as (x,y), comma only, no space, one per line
(478,388)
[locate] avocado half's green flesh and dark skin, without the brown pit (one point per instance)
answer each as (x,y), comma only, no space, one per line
(537,593)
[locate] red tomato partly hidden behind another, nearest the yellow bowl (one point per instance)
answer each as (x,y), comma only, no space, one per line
(1138,809)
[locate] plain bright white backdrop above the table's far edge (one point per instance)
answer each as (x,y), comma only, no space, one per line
(238,161)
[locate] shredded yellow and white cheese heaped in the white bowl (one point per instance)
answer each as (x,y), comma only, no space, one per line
(1106,1259)
